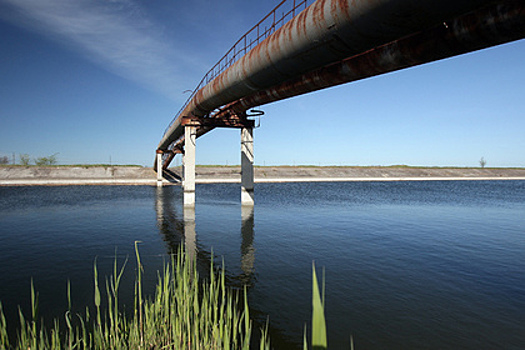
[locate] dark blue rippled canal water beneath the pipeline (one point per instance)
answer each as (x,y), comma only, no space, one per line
(408,265)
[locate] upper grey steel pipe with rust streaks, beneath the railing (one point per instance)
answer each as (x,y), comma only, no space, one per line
(327,32)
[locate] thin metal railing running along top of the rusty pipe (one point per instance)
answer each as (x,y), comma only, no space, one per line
(264,28)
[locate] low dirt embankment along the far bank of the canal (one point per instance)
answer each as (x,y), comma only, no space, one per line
(136,175)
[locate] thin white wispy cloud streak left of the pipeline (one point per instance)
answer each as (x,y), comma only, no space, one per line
(113,33)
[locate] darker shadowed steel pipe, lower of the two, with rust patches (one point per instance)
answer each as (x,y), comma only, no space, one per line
(492,25)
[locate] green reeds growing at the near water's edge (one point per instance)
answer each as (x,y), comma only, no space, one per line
(186,312)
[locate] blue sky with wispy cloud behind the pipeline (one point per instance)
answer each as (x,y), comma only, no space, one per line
(99,80)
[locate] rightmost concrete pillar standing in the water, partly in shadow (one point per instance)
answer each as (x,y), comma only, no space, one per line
(247,197)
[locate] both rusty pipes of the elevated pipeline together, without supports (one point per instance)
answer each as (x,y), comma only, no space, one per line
(336,41)
